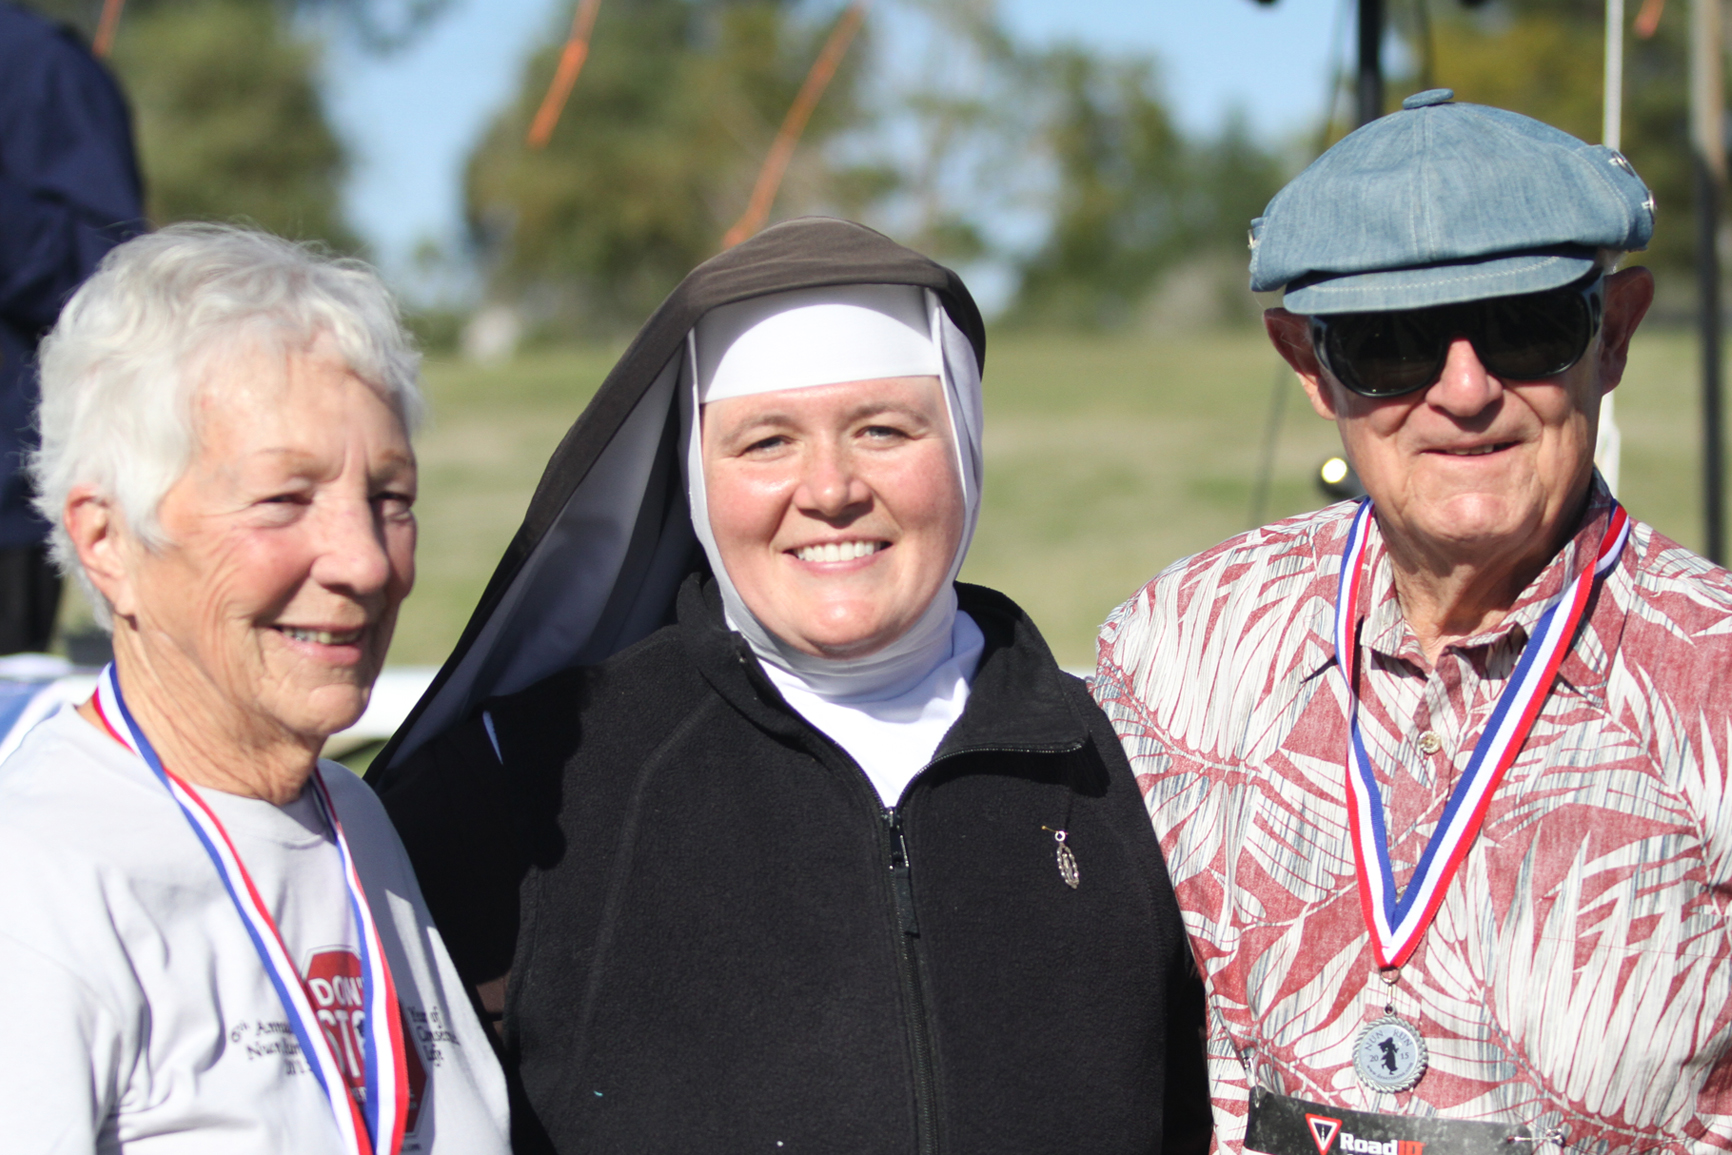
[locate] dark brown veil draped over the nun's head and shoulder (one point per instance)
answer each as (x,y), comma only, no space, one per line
(607,539)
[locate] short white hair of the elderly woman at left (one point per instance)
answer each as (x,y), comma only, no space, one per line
(134,349)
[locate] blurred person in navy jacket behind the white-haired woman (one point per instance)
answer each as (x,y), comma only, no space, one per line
(68,193)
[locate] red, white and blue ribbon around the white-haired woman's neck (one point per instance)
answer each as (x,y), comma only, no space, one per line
(372,1128)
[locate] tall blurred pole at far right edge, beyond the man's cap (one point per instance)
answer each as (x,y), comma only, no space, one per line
(1709,138)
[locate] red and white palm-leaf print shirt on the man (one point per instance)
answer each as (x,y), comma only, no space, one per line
(1579,974)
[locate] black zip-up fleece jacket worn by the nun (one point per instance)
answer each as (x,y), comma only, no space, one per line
(720,939)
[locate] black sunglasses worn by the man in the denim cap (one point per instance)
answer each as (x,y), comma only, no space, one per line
(1520,339)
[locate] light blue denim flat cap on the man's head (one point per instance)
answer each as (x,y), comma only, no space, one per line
(1445,203)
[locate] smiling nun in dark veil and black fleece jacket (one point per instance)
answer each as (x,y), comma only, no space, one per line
(753,827)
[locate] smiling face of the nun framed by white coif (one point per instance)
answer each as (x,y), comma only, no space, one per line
(837,508)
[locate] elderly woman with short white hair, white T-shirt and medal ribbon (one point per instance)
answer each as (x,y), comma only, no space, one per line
(212,941)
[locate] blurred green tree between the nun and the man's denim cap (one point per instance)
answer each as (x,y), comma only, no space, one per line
(1134,197)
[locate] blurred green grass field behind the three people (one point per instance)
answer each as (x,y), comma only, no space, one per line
(1108,458)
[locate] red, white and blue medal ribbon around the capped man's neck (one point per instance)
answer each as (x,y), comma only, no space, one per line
(1400,920)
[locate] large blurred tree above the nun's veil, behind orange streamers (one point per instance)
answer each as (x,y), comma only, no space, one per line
(654,157)
